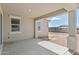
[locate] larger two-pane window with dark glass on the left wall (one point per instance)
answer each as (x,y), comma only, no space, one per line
(15,24)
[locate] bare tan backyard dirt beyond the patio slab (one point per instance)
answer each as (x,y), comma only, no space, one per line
(59,38)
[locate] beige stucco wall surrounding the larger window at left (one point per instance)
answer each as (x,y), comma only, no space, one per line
(26,29)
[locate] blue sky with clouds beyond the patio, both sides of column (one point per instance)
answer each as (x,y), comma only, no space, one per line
(61,20)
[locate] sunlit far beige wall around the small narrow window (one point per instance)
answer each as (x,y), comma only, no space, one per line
(43,30)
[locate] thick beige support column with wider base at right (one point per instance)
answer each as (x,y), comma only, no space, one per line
(72,40)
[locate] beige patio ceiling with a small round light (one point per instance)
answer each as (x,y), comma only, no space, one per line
(35,10)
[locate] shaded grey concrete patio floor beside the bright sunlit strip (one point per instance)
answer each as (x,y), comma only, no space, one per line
(25,47)
